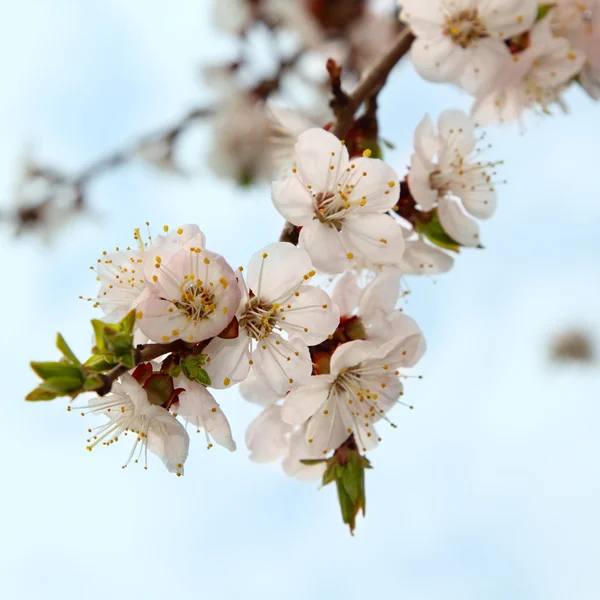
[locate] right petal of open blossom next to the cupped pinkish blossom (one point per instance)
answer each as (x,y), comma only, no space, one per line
(310,315)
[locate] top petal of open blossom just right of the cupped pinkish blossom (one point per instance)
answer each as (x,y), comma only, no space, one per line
(276,271)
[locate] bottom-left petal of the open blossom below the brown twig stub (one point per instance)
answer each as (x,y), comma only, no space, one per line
(325,248)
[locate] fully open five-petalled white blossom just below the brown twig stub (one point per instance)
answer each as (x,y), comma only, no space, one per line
(340,204)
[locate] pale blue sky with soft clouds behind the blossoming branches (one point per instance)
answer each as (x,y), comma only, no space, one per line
(488,490)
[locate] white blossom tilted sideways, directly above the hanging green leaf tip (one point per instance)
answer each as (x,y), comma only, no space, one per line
(361,388)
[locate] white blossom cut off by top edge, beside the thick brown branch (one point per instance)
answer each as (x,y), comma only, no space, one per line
(462,41)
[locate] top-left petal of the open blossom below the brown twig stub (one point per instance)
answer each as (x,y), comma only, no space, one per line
(316,151)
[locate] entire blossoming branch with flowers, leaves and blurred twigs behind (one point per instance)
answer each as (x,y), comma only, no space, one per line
(310,329)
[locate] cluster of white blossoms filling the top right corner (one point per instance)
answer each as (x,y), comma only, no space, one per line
(510,54)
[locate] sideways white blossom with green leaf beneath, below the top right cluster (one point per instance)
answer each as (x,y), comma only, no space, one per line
(446,173)
